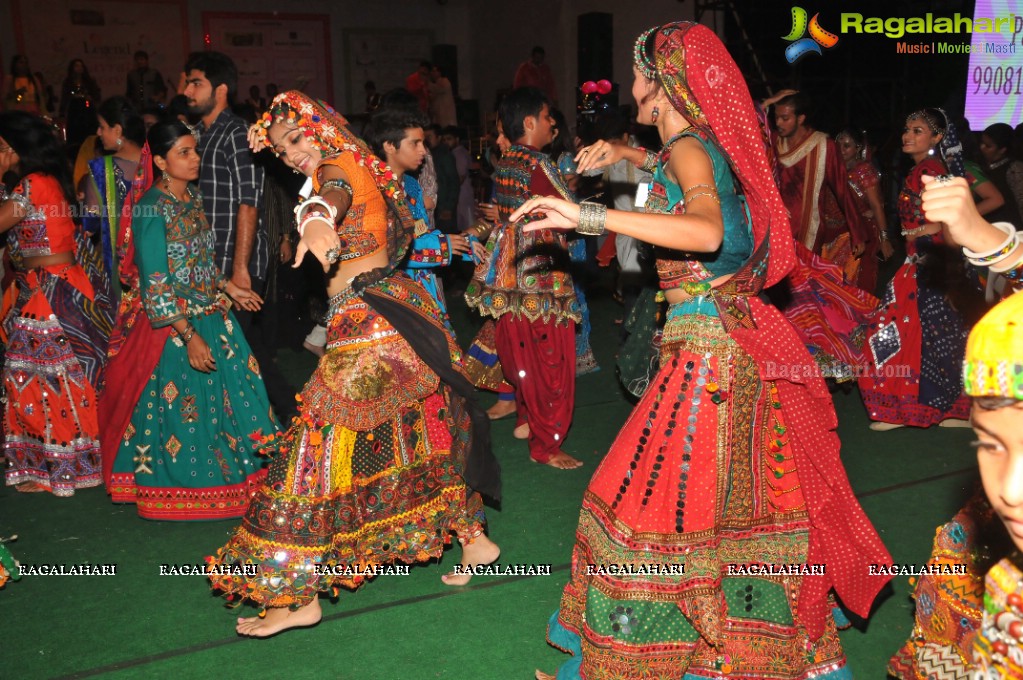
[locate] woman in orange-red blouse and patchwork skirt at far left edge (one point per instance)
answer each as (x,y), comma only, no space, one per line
(57,319)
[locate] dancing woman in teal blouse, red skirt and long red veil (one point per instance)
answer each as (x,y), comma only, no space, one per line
(719,467)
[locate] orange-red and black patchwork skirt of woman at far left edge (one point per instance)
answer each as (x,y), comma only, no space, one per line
(58,329)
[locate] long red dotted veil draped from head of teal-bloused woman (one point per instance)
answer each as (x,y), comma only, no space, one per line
(705,85)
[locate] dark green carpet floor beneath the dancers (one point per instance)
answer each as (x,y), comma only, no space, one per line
(142,625)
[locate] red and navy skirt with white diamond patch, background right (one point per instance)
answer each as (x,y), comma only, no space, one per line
(915,347)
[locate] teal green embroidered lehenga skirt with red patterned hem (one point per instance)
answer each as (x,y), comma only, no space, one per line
(191,449)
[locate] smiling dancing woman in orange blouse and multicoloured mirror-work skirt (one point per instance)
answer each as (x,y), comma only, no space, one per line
(386,459)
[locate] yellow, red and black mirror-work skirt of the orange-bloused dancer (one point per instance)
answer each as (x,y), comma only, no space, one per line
(369,475)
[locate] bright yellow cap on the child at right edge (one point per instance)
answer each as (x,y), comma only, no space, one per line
(994,365)
